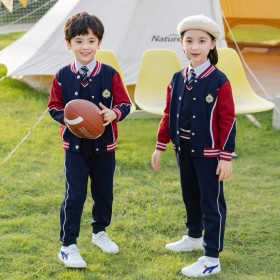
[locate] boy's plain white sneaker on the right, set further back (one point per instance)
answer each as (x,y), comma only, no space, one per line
(102,241)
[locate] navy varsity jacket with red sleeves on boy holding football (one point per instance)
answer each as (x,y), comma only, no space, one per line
(105,86)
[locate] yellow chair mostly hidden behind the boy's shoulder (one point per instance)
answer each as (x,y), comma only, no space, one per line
(108,57)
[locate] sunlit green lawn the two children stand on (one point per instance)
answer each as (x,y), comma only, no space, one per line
(148,209)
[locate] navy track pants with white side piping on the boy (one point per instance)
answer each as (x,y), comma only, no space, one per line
(78,168)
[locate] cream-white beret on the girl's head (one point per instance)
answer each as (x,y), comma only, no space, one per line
(199,22)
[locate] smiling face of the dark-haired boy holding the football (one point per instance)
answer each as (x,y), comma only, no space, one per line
(84,47)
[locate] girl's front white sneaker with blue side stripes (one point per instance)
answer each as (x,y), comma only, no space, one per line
(202,268)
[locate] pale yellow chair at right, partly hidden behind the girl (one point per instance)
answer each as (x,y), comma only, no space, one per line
(245,99)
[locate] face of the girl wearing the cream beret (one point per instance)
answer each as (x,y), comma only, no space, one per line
(196,45)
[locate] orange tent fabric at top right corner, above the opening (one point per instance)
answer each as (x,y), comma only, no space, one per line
(252,12)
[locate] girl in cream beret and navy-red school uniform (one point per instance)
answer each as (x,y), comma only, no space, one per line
(199,120)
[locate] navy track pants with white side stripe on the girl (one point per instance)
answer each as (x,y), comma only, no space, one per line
(204,200)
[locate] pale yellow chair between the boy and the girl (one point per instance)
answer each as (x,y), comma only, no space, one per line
(156,70)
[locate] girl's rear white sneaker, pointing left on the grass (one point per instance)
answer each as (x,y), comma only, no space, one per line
(185,245)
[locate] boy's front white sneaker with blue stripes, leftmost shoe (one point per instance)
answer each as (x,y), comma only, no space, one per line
(71,257)
